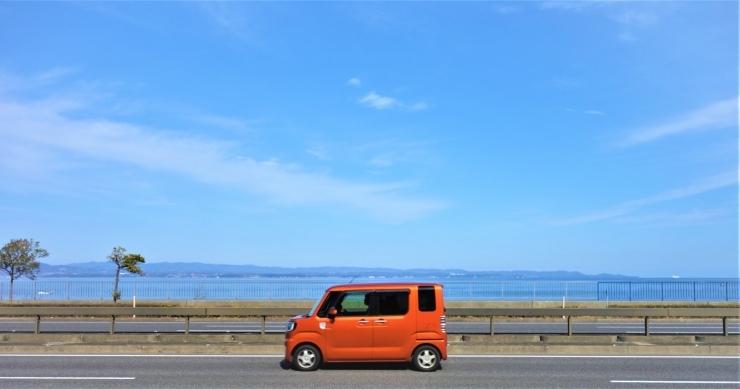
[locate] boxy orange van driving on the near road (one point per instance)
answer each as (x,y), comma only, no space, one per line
(371,323)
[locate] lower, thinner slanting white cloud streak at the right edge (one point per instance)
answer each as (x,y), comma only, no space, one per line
(711,183)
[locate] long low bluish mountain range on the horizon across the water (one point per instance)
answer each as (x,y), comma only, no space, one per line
(197,269)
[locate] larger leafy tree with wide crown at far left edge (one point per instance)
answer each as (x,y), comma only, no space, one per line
(18,258)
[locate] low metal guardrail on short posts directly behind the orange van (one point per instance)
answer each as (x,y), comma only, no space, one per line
(263,313)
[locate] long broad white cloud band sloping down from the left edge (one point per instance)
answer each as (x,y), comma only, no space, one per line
(55,139)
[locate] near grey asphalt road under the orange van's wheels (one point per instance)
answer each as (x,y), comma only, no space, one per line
(66,371)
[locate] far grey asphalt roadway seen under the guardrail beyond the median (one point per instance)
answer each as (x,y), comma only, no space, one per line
(617,327)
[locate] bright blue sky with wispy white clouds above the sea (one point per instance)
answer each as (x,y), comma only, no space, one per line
(599,137)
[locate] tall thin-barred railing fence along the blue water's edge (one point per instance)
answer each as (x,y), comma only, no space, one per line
(311,290)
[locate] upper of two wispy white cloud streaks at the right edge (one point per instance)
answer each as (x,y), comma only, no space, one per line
(722,114)
